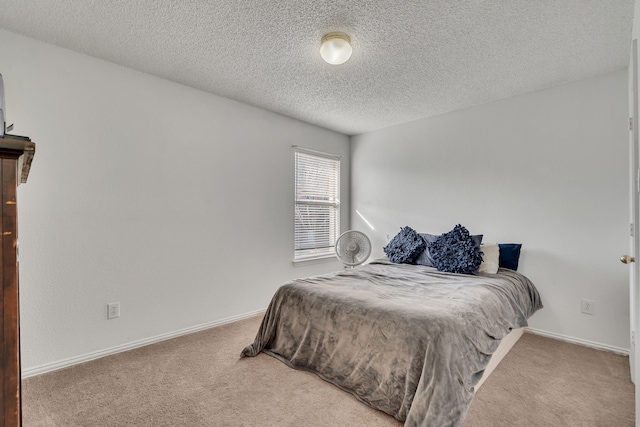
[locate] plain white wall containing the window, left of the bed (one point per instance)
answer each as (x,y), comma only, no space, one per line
(176,203)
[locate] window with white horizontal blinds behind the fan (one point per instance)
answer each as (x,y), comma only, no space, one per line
(317,204)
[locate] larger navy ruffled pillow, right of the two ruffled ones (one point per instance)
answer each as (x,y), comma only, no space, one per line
(456,252)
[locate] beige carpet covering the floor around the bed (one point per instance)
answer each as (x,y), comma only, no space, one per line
(198,380)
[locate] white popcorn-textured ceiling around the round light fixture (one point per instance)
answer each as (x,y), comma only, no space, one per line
(411,59)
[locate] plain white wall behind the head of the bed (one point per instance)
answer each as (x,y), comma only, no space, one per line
(546,169)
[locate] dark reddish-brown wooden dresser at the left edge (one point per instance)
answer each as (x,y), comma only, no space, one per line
(16,154)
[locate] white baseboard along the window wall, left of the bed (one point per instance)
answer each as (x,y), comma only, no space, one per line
(49,367)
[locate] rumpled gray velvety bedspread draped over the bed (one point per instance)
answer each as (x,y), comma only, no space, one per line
(405,339)
